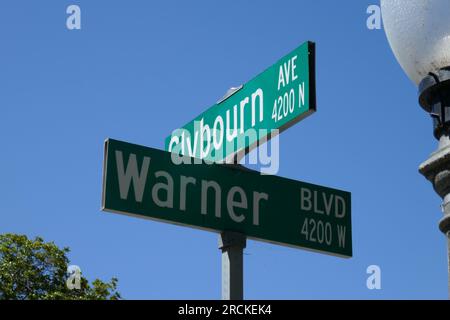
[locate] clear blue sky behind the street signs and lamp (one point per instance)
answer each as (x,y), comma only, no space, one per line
(139,69)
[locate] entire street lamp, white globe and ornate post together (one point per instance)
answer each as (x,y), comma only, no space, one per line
(419,34)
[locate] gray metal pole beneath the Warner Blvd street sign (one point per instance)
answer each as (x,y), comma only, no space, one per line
(232,245)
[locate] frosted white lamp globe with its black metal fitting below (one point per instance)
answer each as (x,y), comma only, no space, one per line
(418,32)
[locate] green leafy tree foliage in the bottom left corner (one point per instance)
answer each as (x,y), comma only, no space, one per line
(34,269)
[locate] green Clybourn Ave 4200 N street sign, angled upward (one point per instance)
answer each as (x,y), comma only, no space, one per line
(270,103)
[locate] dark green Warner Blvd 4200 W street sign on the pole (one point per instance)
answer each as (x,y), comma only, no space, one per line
(145,182)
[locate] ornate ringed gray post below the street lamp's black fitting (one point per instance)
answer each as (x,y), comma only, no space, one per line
(437,170)
